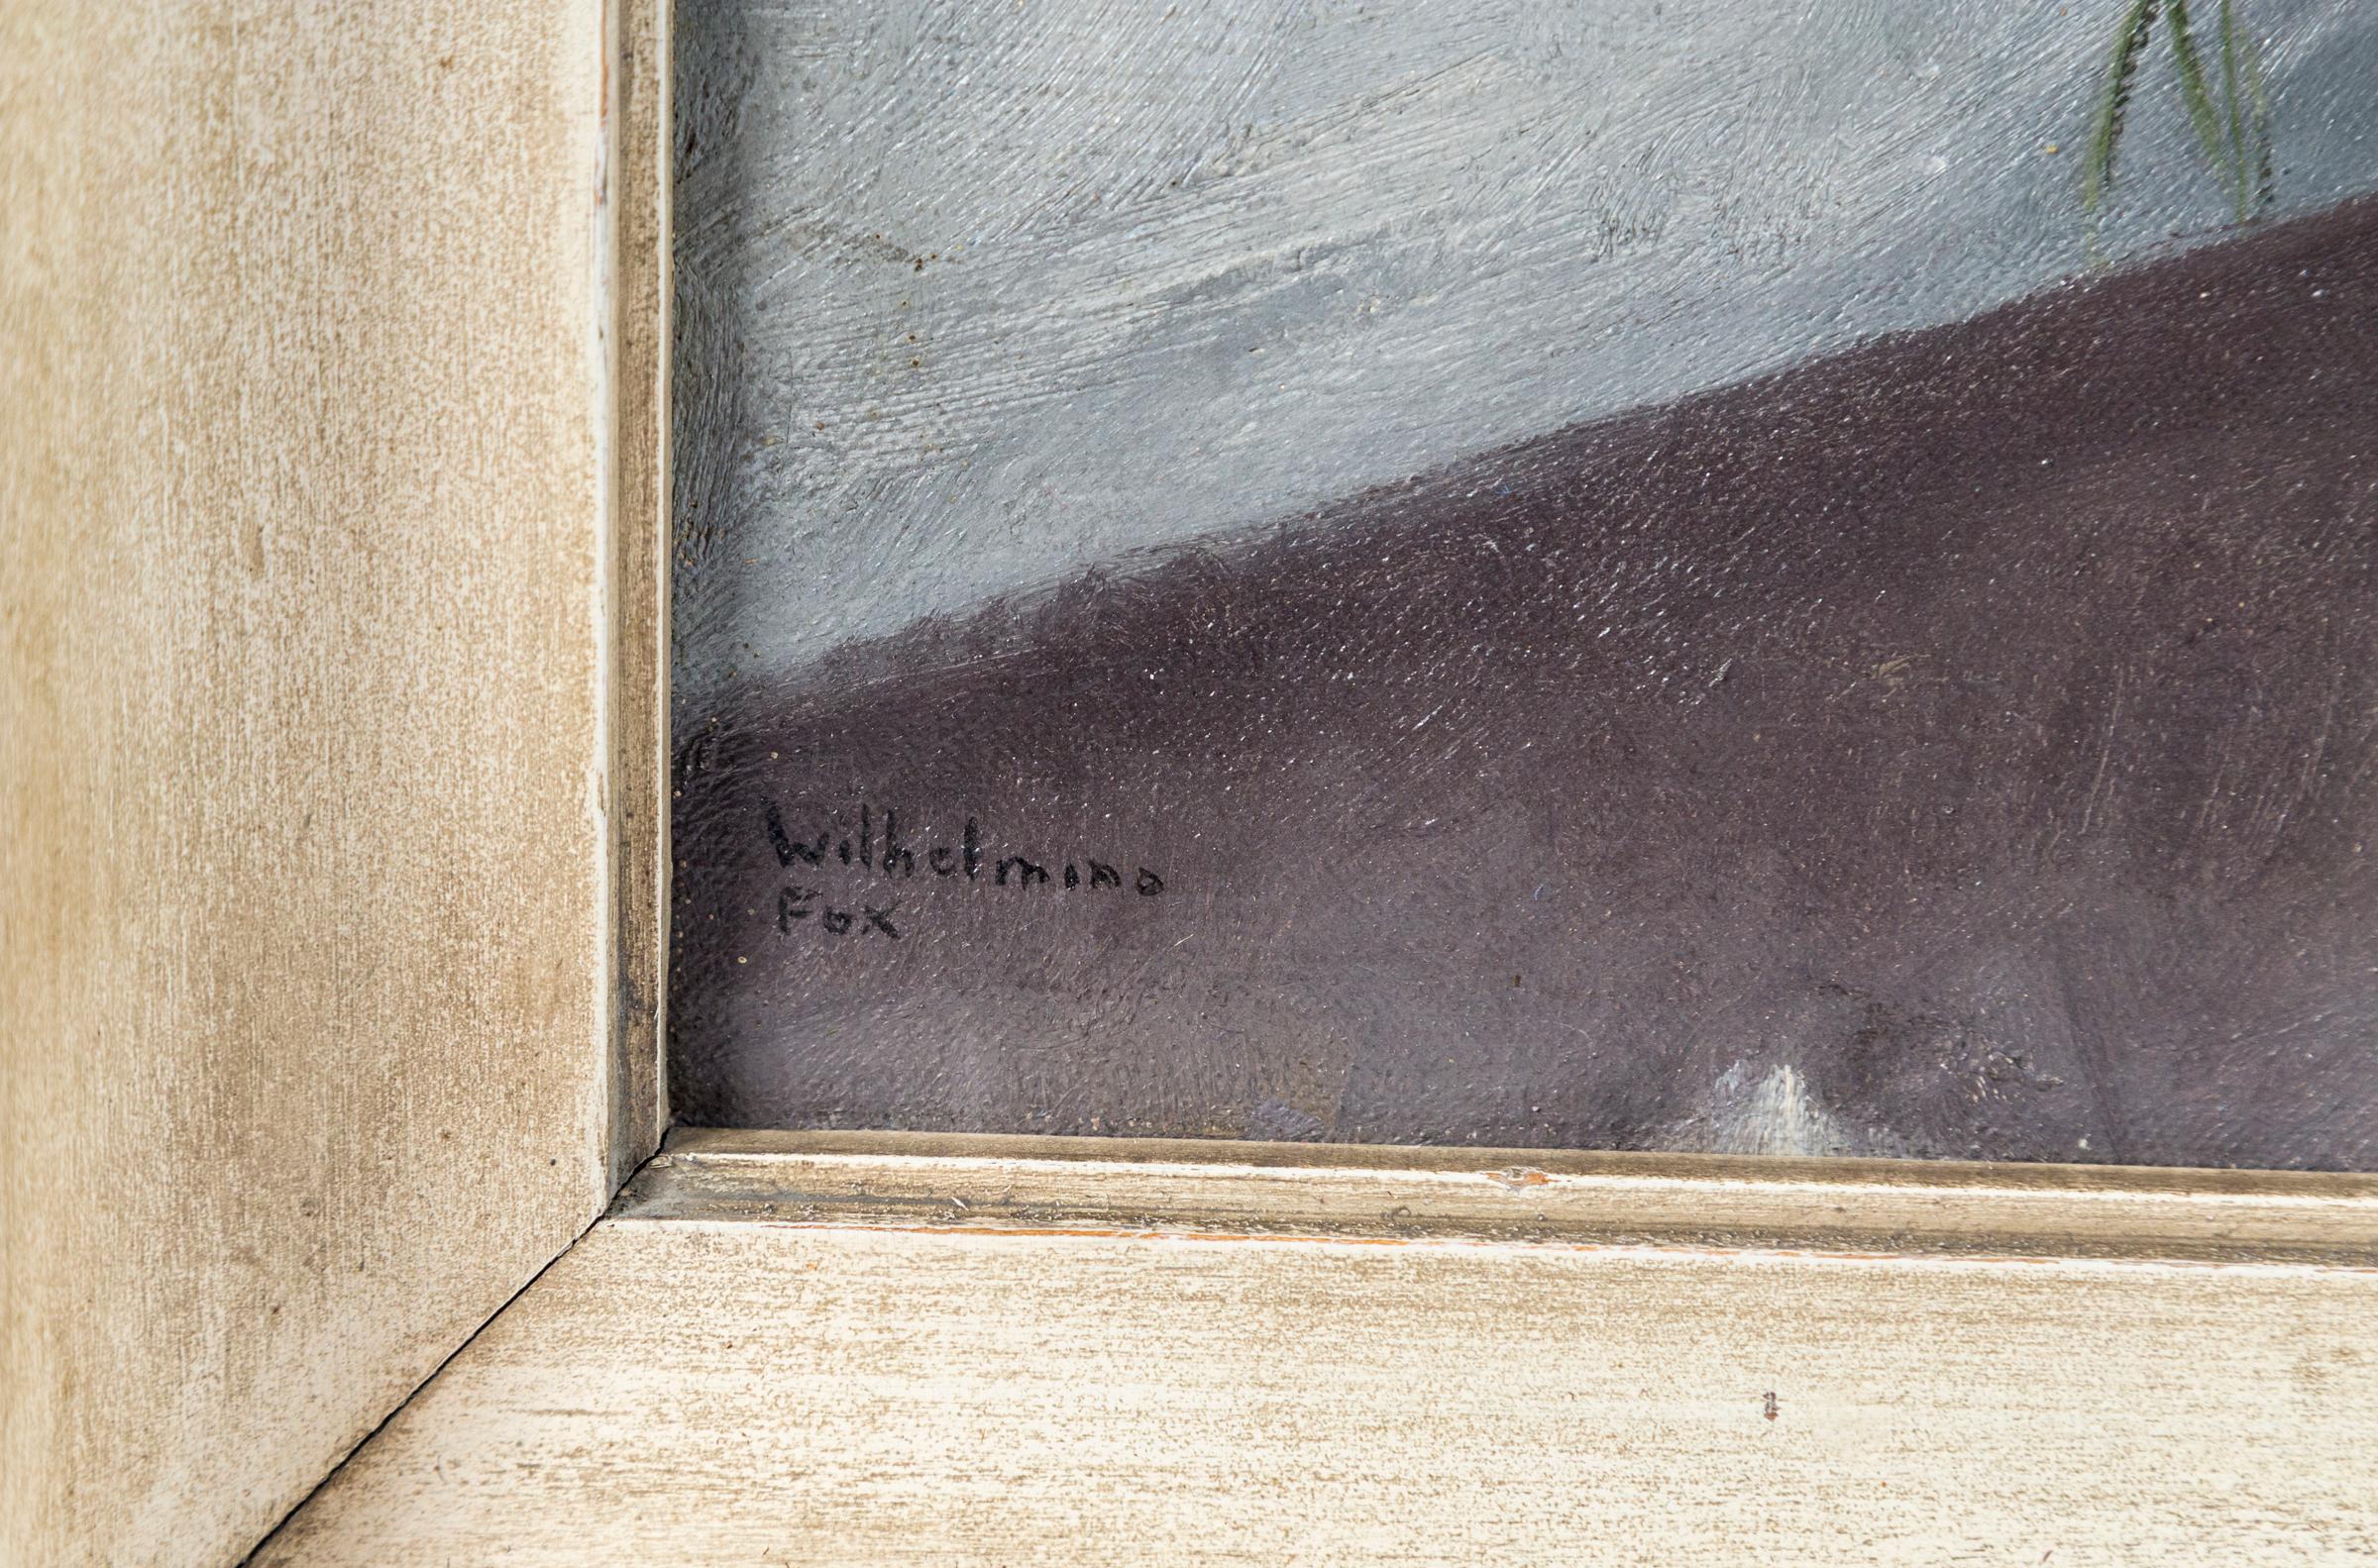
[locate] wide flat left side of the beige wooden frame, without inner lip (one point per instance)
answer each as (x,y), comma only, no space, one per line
(303,481)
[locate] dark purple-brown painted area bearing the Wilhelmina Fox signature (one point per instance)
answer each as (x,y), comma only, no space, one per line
(1977,726)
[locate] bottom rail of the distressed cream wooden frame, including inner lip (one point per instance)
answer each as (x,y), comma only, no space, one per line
(874,1386)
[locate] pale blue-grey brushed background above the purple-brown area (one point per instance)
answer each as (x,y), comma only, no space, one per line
(976,296)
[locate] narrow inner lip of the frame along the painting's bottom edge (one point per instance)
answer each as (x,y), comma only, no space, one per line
(1000,1184)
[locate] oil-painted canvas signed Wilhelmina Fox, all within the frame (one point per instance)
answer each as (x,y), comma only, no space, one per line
(1604,576)
